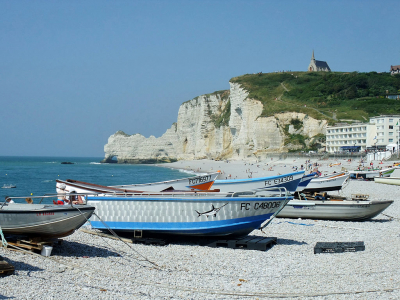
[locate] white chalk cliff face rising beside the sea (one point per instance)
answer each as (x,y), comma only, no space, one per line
(225,125)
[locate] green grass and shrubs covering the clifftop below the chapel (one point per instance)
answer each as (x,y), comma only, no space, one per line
(332,96)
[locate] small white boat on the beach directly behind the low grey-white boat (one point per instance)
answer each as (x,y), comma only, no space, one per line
(332,182)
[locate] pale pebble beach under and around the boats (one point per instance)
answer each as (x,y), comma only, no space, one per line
(88,266)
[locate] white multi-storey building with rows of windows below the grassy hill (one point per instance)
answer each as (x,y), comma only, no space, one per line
(379,132)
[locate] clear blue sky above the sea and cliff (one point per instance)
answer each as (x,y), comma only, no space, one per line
(72,73)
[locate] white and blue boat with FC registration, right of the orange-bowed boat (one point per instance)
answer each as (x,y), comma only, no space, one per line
(290,181)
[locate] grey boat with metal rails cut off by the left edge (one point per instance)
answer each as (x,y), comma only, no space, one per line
(42,220)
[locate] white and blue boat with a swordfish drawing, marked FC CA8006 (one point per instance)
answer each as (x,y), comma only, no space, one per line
(192,215)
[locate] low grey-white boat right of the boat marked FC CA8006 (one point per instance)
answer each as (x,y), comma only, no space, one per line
(334,208)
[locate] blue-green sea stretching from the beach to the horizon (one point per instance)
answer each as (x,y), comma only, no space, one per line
(36,176)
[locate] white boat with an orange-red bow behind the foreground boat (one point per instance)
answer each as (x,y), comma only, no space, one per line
(198,183)
